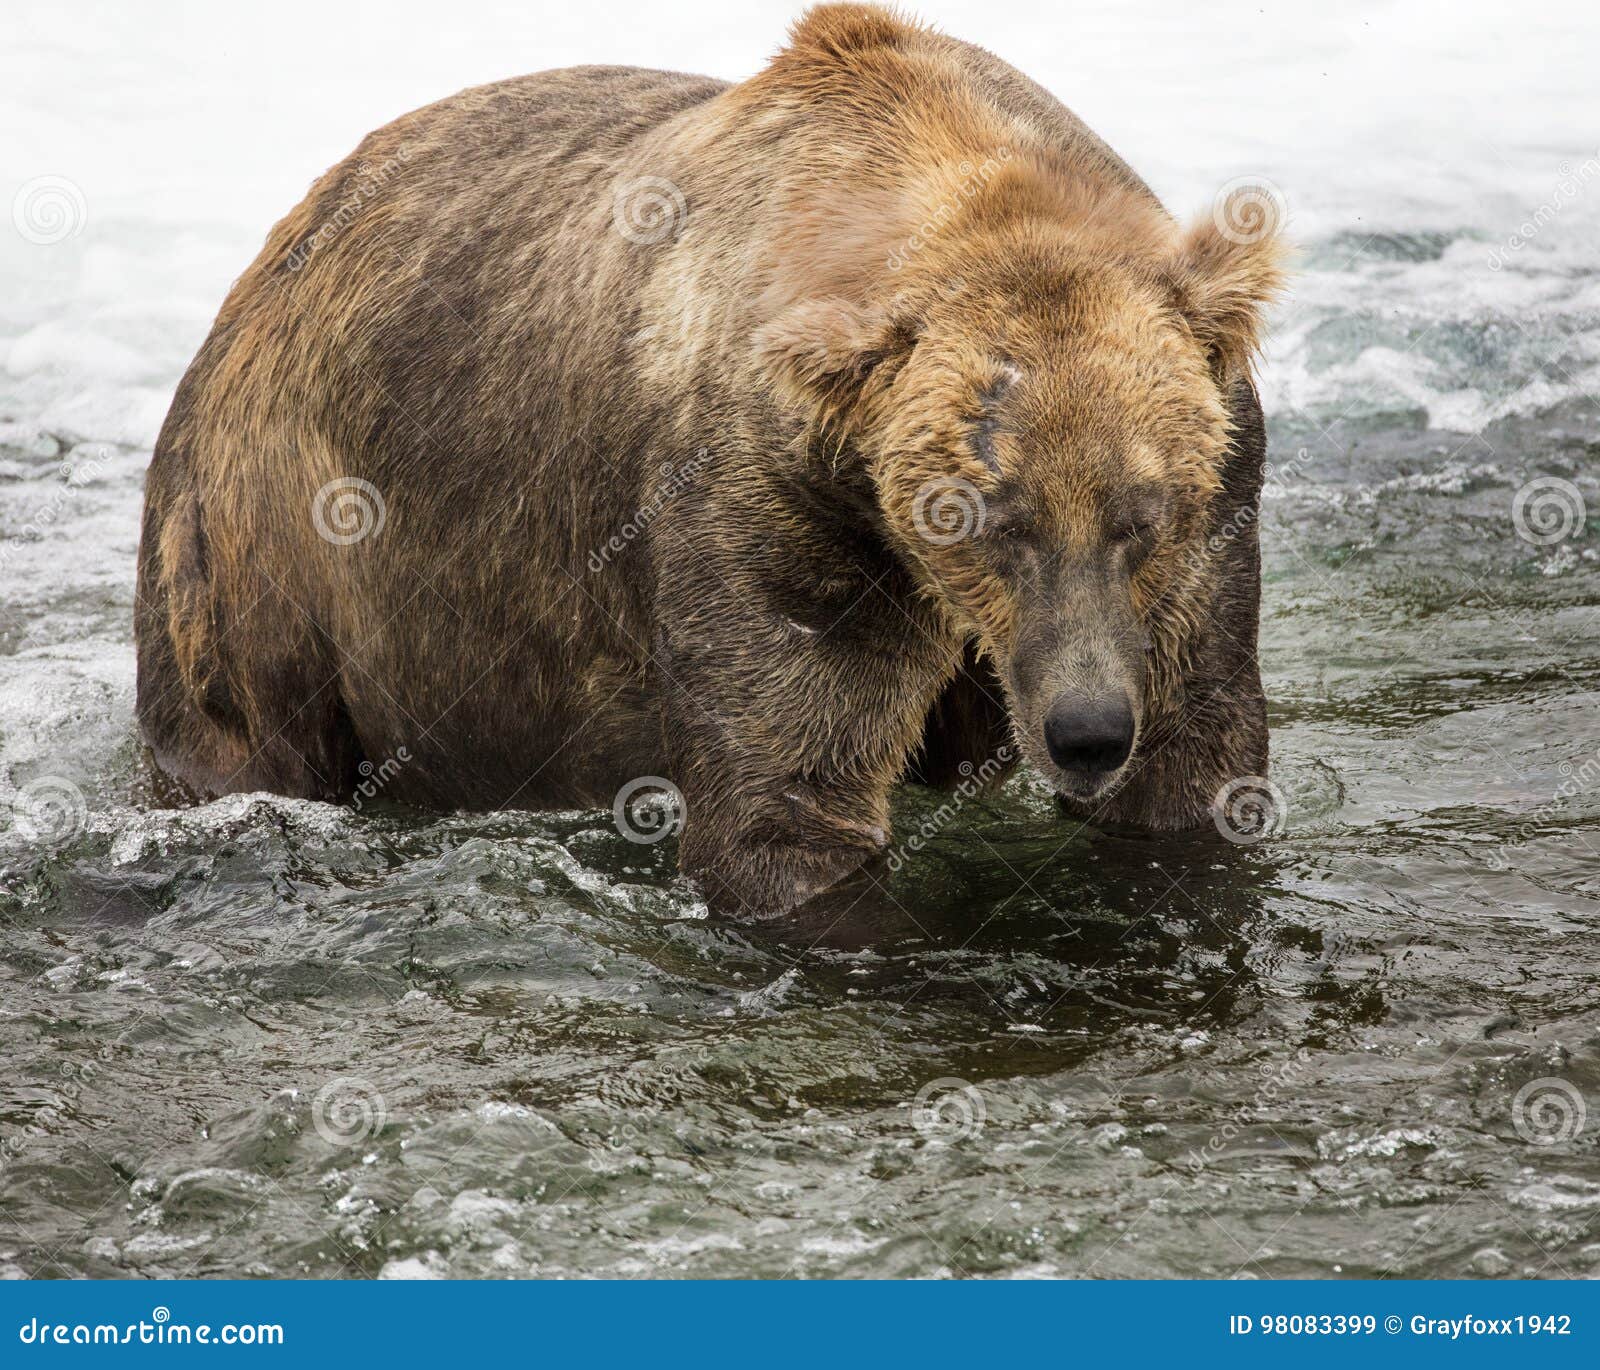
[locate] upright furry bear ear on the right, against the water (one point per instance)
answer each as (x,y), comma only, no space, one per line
(1226,270)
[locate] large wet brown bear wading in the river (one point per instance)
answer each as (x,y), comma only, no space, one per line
(866,420)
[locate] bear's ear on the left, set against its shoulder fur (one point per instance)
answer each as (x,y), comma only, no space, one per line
(823,355)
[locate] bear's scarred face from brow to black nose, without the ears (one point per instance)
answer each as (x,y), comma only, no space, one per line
(1050,487)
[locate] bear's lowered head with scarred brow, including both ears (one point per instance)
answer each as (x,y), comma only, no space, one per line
(1042,417)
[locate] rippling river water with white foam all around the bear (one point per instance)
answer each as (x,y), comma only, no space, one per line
(271,1038)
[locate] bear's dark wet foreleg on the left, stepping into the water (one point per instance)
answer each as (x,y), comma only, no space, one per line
(793,699)
